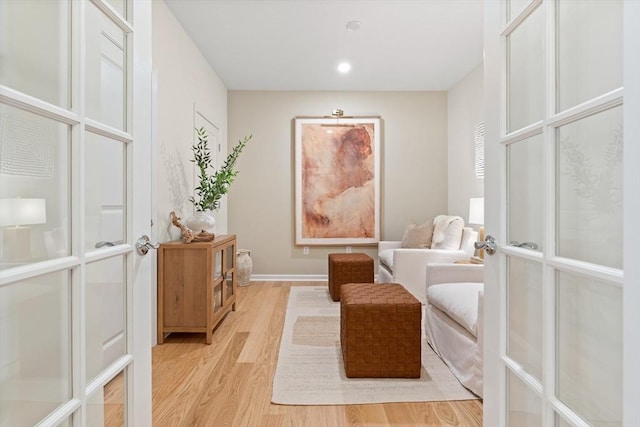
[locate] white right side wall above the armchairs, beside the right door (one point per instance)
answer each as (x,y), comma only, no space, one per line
(465,111)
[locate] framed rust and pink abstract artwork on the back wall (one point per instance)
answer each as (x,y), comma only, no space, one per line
(337,176)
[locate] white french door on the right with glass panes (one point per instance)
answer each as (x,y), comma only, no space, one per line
(557,184)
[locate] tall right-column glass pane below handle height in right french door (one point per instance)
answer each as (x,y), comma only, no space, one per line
(589,348)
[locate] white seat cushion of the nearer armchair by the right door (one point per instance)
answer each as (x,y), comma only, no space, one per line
(459,301)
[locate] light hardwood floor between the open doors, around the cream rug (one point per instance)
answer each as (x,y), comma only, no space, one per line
(228,383)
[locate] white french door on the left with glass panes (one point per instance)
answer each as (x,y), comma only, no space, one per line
(75,185)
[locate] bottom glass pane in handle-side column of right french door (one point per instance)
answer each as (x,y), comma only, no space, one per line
(524,407)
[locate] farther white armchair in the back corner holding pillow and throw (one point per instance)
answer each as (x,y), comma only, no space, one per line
(407,266)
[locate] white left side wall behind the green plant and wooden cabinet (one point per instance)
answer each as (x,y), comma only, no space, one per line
(186,83)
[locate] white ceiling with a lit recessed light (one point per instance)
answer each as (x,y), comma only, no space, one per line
(402,45)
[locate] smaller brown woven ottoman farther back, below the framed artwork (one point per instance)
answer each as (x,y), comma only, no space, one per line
(348,268)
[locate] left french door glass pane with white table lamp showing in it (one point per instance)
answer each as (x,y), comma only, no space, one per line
(34,188)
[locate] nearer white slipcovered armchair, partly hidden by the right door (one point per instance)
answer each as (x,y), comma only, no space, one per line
(454,319)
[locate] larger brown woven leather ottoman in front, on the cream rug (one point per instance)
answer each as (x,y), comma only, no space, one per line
(380,328)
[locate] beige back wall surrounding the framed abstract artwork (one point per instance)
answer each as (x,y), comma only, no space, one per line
(261,201)
